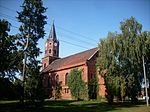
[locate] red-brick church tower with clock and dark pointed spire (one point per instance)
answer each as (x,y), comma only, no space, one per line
(51,48)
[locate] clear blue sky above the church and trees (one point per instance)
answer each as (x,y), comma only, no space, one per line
(80,24)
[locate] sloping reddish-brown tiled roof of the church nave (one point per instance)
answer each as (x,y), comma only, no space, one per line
(71,60)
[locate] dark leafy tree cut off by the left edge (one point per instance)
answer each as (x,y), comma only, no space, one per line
(8,51)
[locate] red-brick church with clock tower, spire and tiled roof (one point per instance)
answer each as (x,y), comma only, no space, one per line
(55,70)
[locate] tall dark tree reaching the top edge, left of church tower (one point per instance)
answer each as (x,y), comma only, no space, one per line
(32,28)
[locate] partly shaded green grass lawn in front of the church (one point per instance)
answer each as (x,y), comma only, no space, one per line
(74,106)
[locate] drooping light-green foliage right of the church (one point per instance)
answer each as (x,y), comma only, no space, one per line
(121,54)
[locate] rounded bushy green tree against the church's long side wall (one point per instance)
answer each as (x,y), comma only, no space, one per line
(76,84)
